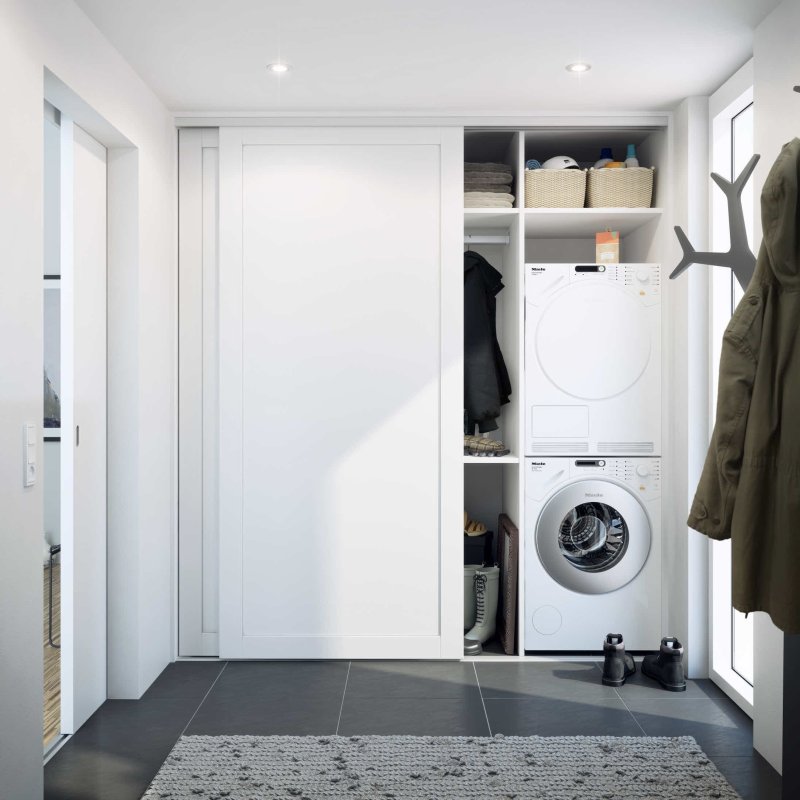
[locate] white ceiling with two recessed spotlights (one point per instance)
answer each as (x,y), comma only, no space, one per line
(437,56)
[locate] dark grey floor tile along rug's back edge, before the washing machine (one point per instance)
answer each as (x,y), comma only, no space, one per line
(551,717)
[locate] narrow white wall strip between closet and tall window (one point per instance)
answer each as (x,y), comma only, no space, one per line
(686,551)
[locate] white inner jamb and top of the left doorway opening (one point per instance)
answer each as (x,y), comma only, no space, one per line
(123,426)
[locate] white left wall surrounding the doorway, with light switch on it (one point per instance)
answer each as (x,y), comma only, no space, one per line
(54,34)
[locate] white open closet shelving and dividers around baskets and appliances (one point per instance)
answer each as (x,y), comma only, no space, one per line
(554,235)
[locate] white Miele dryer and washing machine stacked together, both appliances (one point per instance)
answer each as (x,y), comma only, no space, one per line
(593,446)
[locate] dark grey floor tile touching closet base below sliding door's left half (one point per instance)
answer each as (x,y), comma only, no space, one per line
(255,679)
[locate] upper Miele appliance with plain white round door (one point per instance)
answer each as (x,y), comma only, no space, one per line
(593,359)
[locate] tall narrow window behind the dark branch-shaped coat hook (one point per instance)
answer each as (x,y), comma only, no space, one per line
(731,631)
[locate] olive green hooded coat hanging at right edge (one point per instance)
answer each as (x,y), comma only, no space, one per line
(749,490)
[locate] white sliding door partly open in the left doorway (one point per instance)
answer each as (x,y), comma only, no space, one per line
(83,425)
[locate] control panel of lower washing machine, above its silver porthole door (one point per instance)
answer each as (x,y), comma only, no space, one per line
(643,475)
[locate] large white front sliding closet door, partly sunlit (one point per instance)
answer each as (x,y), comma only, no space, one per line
(340,299)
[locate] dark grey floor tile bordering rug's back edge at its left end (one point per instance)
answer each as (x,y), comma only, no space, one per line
(267,714)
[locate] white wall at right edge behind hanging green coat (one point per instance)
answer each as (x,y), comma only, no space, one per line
(777,120)
